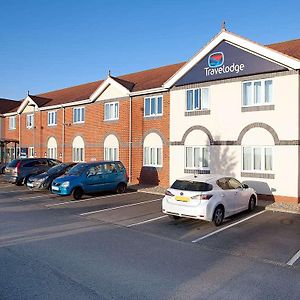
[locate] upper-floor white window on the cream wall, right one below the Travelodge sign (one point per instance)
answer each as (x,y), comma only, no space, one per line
(257,92)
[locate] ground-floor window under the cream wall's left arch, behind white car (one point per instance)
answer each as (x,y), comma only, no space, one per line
(197,157)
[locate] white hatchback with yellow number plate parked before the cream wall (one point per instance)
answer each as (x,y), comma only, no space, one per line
(208,197)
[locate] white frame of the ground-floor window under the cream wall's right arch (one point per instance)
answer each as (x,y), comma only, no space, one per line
(263,157)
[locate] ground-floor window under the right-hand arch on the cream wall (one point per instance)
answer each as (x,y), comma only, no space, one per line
(257,159)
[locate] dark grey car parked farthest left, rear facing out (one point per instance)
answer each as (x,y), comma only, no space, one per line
(19,170)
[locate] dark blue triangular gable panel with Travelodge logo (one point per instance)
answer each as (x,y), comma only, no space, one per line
(228,61)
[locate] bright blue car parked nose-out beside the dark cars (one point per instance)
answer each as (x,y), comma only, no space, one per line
(86,178)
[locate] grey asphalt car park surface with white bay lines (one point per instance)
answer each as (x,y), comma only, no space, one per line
(122,247)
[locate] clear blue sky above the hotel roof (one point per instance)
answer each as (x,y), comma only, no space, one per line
(48,45)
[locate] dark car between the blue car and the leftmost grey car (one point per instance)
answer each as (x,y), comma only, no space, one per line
(43,181)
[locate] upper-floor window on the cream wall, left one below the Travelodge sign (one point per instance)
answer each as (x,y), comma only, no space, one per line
(197,99)
